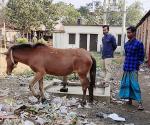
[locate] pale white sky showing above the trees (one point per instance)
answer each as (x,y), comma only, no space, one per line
(78,3)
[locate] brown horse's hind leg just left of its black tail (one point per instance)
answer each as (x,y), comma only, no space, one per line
(85,84)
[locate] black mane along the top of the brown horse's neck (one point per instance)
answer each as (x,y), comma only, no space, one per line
(26,46)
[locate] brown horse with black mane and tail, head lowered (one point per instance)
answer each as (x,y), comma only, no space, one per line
(60,62)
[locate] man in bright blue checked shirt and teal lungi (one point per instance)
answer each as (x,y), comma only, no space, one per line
(134,57)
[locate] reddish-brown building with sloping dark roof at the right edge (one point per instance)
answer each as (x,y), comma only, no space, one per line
(143,33)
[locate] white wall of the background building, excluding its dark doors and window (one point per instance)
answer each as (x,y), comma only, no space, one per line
(61,40)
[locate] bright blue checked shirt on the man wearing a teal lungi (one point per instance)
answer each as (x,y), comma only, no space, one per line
(134,55)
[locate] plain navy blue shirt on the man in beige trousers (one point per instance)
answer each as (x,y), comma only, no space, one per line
(109,46)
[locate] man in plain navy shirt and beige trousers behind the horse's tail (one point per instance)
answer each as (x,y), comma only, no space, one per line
(108,47)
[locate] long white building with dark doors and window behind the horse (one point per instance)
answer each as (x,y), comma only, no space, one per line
(88,37)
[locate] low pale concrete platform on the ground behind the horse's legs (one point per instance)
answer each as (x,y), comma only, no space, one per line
(100,94)
